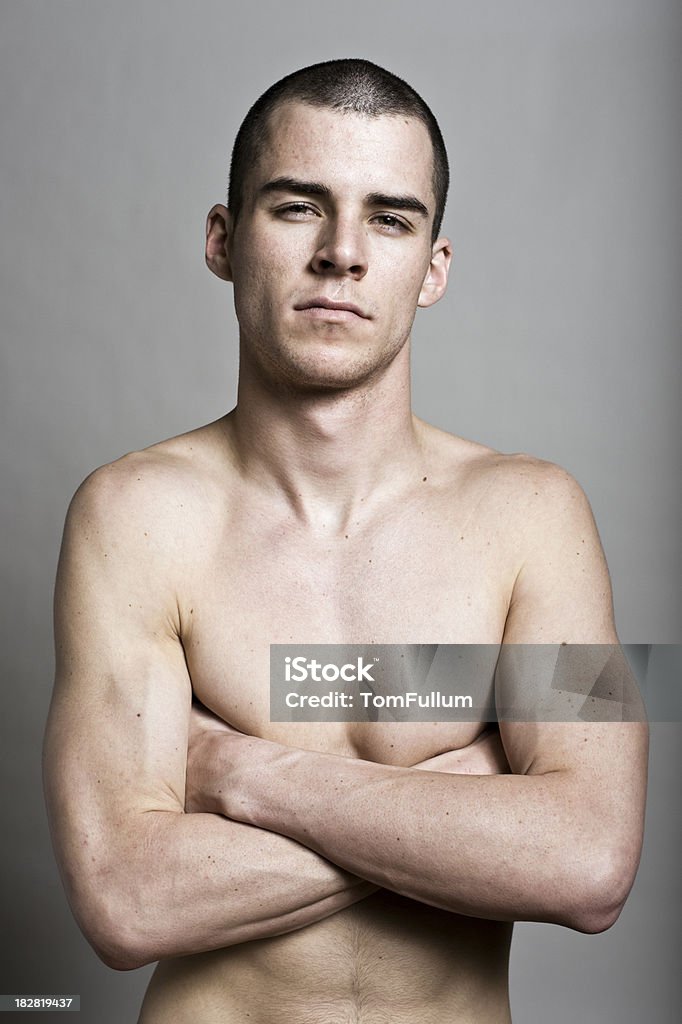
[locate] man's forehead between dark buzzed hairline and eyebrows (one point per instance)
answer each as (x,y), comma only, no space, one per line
(350,153)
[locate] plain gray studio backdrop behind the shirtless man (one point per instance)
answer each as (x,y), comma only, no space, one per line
(560,336)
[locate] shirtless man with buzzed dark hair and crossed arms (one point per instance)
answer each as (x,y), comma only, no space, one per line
(291,873)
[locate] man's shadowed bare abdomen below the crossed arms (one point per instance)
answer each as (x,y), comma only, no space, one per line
(389,960)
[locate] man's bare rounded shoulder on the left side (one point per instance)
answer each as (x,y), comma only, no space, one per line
(133,523)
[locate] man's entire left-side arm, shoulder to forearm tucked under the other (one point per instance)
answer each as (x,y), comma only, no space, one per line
(147,881)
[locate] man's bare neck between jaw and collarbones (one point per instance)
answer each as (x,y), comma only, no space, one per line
(332,454)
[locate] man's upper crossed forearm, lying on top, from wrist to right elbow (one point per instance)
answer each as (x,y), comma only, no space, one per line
(506,847)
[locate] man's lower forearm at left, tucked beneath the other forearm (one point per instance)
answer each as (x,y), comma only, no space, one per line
(173,884)
